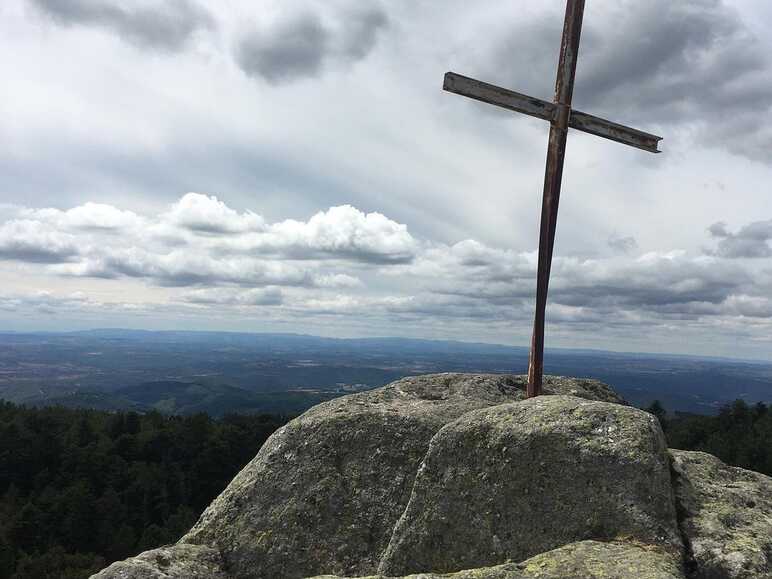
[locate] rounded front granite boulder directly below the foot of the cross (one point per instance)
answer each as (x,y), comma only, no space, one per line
(518,479)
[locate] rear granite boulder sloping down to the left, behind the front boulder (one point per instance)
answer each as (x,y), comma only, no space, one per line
(325,491)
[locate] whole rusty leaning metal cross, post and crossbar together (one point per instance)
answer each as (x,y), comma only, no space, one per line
(561,116)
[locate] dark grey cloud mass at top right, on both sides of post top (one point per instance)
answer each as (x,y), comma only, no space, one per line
(656,64)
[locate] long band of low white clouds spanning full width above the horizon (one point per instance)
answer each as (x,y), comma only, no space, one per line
(343,264)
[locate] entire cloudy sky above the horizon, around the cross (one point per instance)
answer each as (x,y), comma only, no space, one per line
(294,166)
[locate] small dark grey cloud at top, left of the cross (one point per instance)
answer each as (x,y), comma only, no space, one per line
(300,44)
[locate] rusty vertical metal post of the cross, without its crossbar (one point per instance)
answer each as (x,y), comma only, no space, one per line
(564,89)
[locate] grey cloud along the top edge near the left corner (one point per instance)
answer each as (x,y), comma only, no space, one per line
(166,25)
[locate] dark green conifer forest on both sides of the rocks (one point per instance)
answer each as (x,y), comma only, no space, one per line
(82,488)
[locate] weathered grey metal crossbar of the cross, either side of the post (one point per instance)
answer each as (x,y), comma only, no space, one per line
(515,101)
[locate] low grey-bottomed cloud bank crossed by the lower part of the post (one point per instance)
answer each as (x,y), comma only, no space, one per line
(653,285)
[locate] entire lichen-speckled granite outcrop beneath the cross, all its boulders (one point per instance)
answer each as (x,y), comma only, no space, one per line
(460,476)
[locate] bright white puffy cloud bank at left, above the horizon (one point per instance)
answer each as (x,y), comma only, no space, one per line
(200,241)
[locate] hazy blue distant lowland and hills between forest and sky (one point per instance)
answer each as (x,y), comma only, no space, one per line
(221,372)
